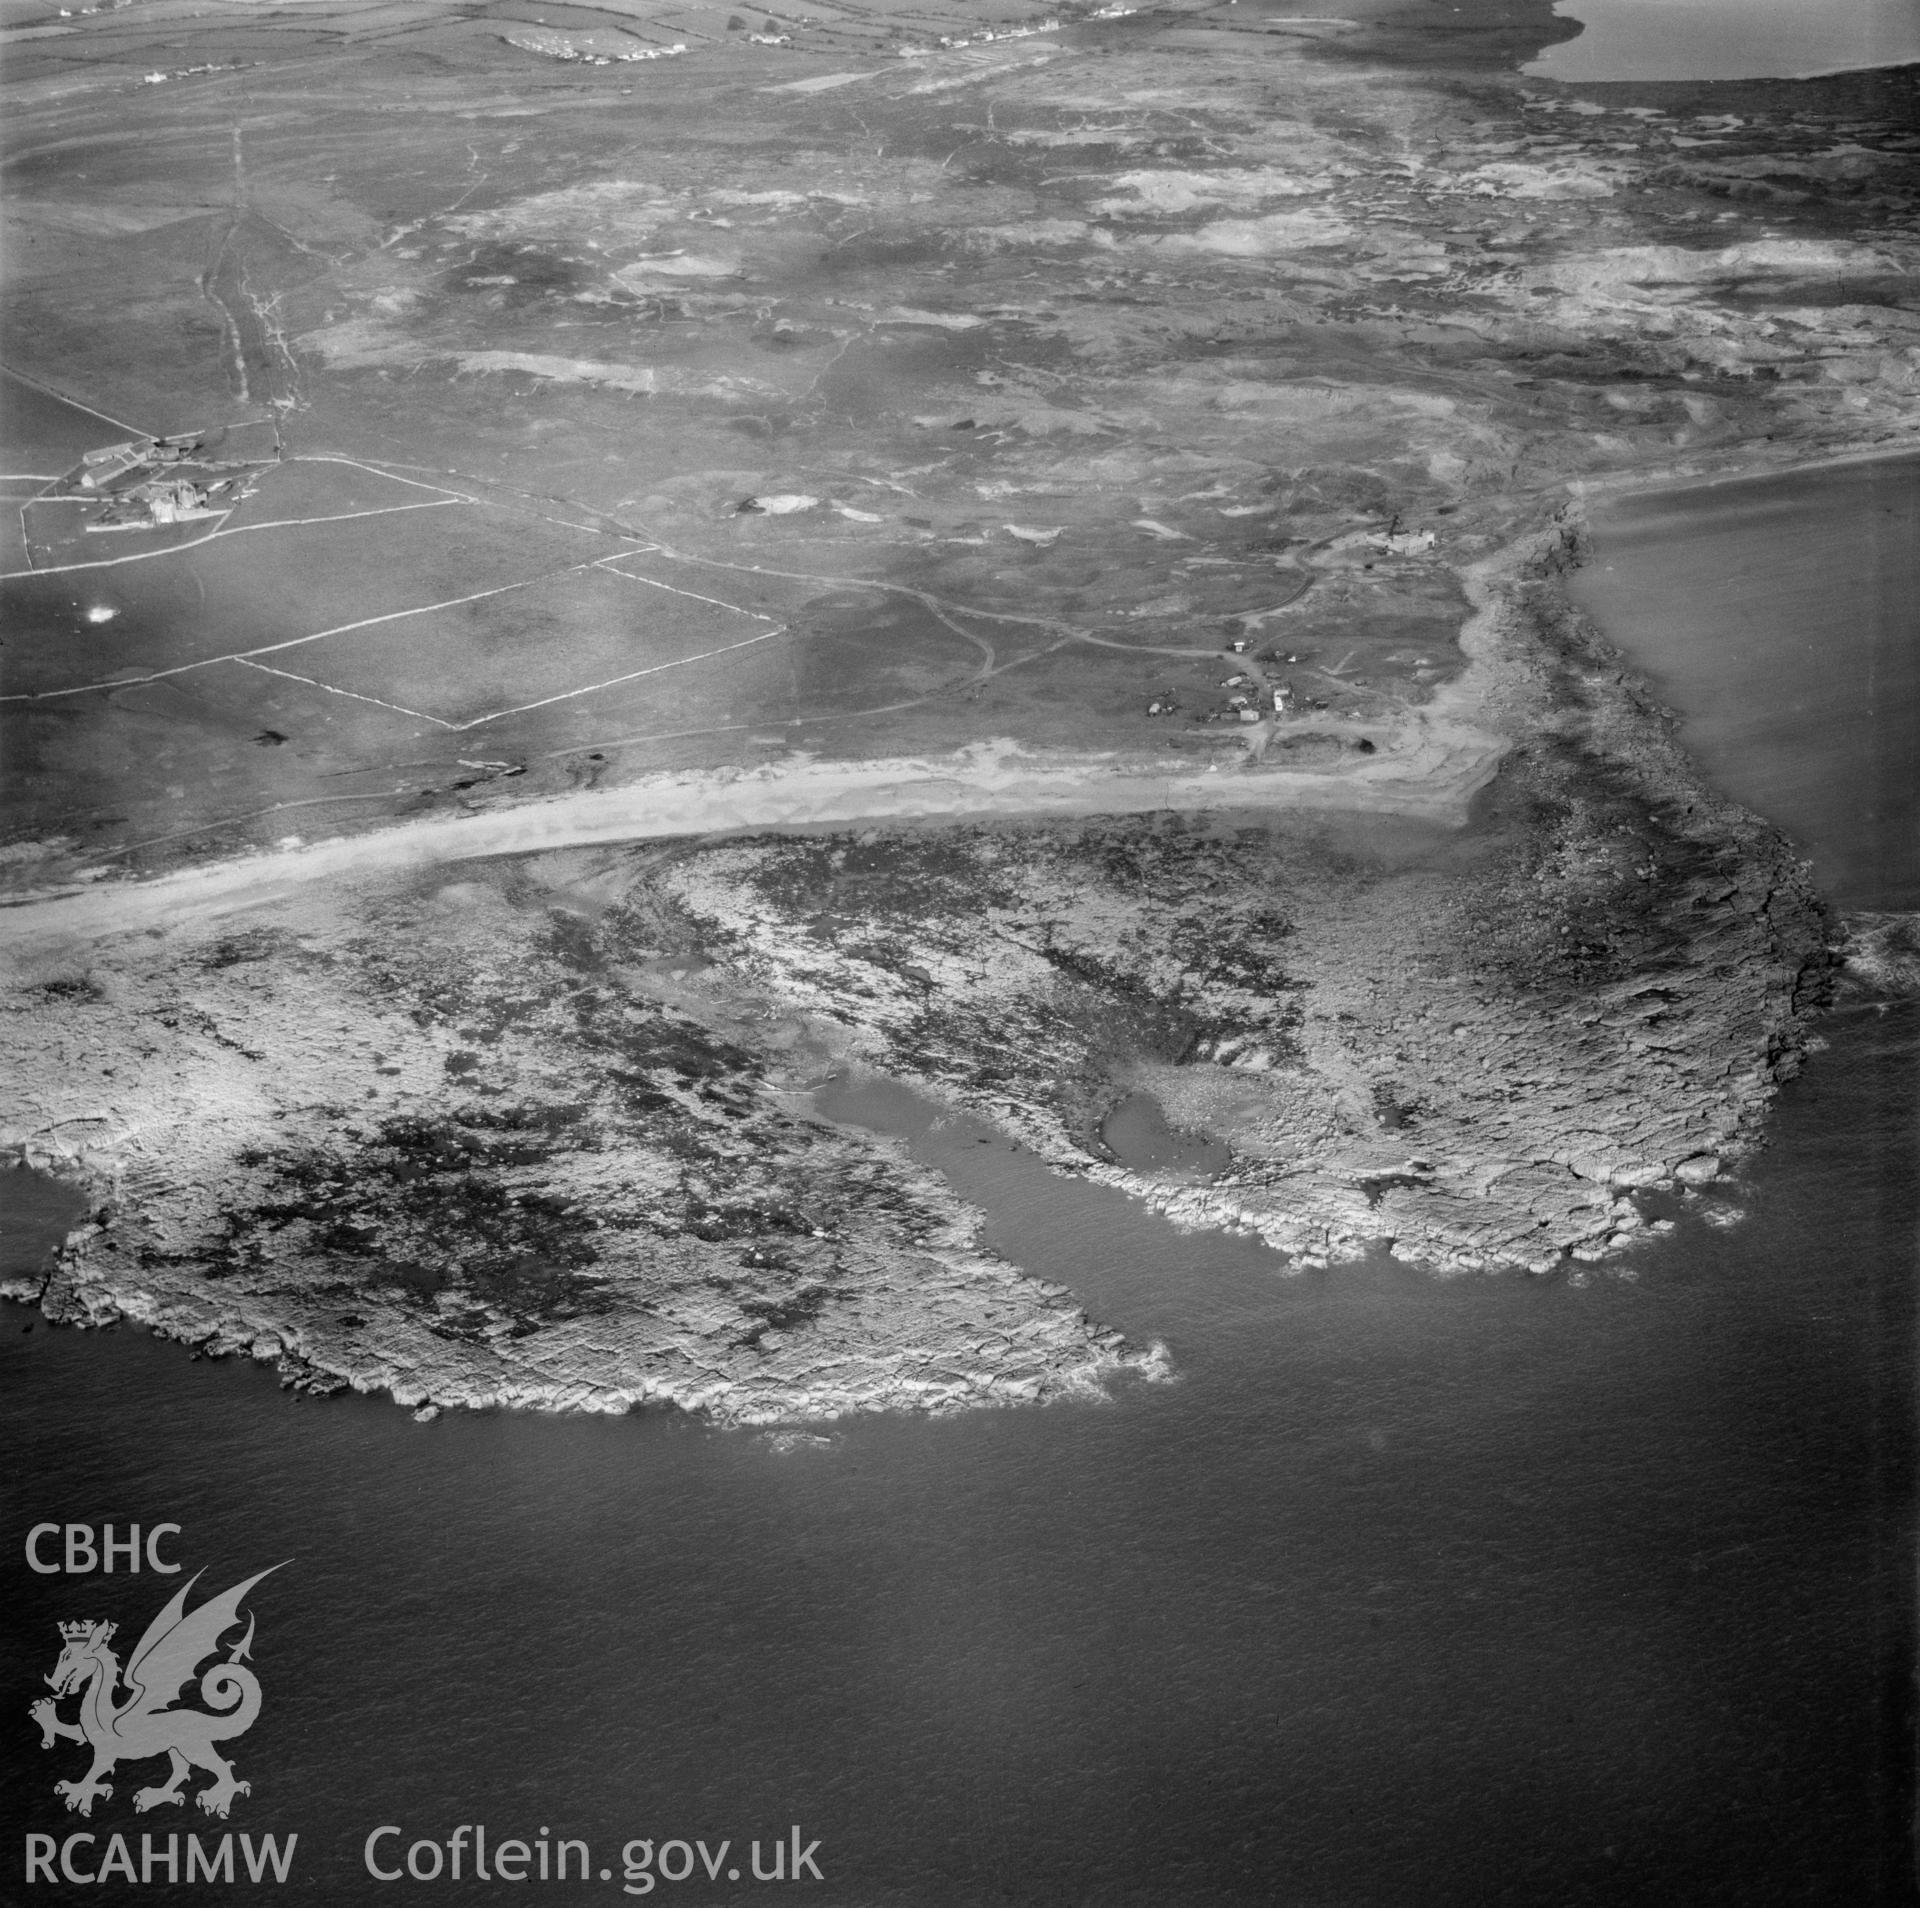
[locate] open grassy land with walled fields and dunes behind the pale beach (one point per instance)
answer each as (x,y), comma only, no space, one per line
(855,396)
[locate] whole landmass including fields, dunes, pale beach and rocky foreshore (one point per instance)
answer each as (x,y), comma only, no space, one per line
(648,421)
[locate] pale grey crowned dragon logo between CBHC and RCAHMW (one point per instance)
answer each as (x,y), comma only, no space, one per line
(143,1725)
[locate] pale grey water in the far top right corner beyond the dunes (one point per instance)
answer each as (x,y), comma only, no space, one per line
(1729,39)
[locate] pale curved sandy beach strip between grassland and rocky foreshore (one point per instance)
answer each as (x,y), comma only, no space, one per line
(1433,773)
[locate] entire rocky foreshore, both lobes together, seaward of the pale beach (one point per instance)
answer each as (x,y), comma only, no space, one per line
(535,1132)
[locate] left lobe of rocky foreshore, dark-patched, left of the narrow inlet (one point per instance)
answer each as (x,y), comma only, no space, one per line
(456,1141)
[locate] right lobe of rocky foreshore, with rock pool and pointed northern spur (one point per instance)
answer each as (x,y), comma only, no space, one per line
(1481,1051)
